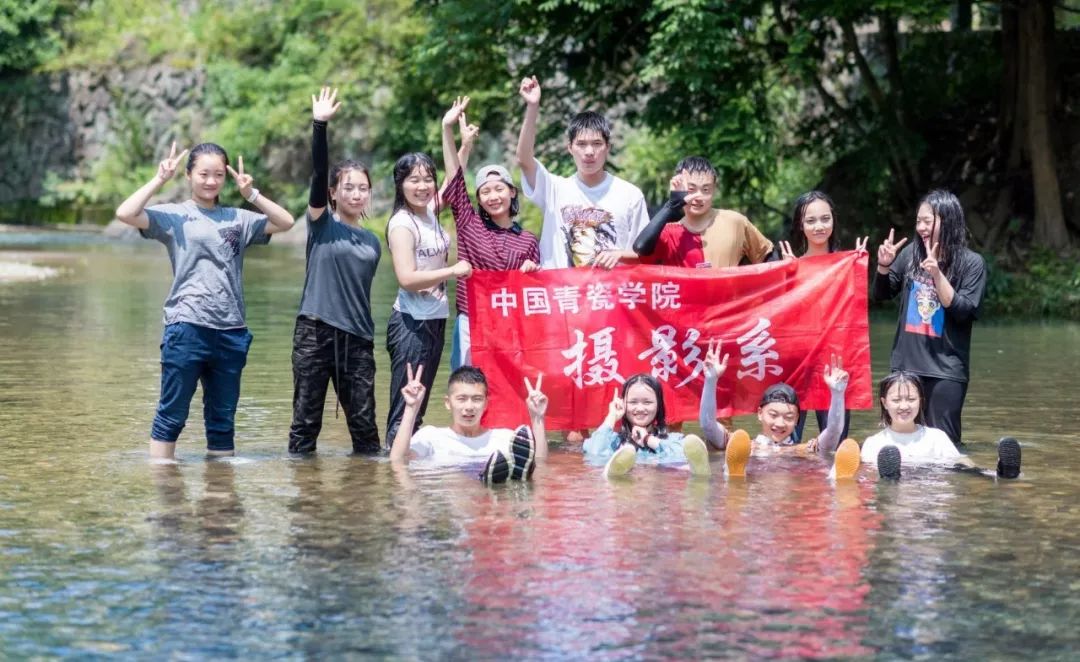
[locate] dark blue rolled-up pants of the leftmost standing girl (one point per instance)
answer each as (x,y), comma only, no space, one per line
(192,355)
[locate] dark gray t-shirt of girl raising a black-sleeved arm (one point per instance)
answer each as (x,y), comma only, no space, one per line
(342,263)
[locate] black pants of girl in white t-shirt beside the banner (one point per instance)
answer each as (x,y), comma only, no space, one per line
(420,343)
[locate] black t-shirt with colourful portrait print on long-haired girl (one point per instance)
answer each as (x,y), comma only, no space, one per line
(934,341)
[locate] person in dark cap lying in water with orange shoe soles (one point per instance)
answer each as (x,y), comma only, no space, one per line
(778,413)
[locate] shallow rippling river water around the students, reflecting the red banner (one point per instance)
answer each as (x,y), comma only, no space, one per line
(265,557)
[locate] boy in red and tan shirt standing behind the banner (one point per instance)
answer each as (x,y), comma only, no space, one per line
(688,232)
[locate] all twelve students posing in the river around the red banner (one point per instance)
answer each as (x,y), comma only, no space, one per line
(591,220)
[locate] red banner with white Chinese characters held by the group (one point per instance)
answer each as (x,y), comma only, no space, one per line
(589,330)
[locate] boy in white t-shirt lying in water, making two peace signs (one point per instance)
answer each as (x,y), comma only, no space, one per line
(511,454)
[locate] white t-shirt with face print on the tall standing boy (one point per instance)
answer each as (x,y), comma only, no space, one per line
(582,222)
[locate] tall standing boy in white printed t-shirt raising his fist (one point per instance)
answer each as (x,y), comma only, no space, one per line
(591,219)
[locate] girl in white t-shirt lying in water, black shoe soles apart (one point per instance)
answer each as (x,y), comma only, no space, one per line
(908,441)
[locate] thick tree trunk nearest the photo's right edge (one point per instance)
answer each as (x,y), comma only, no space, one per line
(1037,39)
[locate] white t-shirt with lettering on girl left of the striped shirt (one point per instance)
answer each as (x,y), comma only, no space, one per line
(433,252)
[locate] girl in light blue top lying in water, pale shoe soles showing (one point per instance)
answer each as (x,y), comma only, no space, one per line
(643,436)
